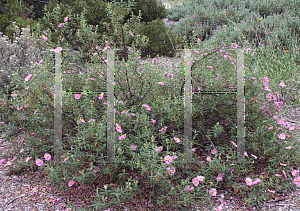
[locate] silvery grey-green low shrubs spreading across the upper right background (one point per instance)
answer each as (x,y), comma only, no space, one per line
(255,20)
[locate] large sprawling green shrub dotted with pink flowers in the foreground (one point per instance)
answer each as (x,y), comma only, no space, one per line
(147,140)
